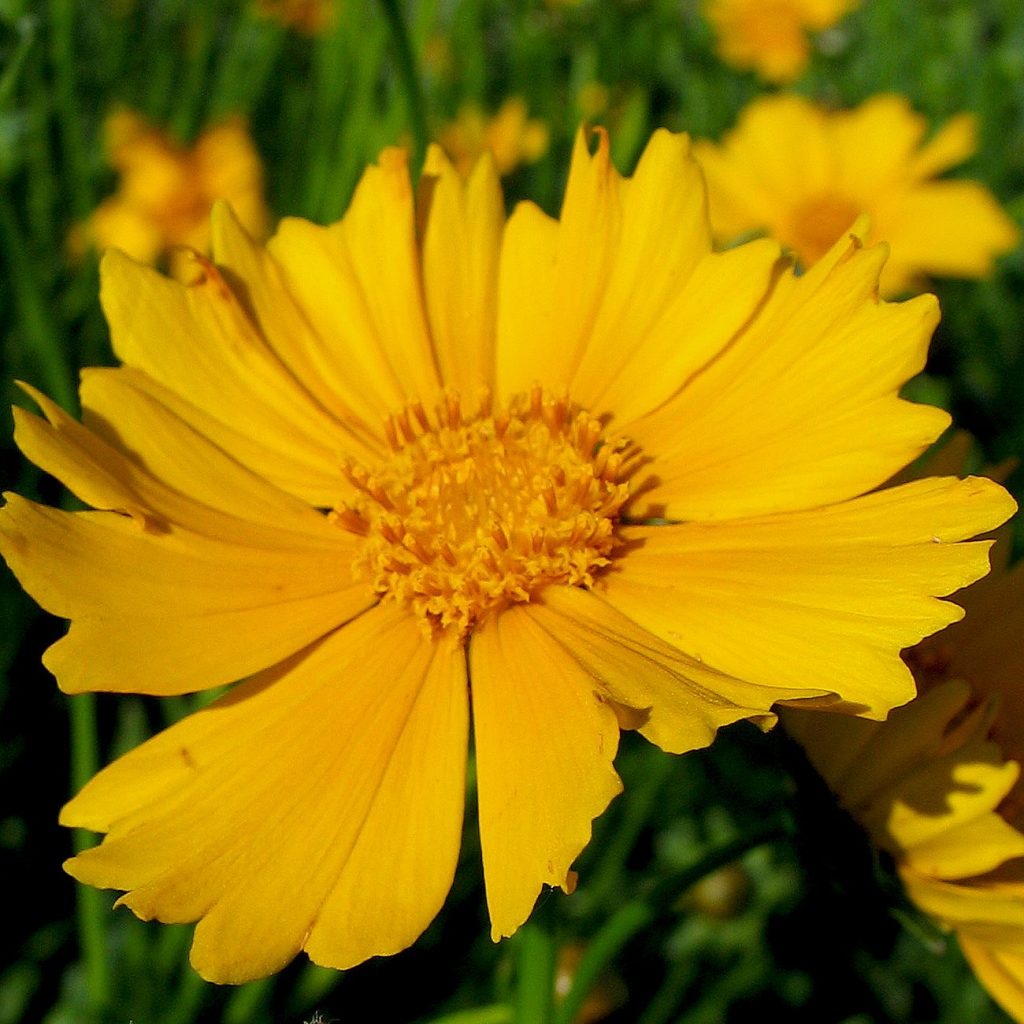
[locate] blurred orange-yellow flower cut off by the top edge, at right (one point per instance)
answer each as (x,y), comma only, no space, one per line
(771,36)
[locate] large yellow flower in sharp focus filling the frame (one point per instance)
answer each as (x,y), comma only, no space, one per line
(585,470)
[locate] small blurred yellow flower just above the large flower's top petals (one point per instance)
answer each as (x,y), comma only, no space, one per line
(510,137)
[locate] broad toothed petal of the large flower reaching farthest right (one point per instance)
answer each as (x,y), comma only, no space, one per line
(825,599)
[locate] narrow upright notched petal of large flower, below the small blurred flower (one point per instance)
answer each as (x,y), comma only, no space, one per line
(460,270)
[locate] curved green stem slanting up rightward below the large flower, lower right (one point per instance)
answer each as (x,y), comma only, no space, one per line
(636,917)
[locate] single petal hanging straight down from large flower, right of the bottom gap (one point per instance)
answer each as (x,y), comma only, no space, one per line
(545,742)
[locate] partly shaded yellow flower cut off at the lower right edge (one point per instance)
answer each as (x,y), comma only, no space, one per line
(935,785)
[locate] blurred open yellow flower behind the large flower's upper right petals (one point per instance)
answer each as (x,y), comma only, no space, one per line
(803,175)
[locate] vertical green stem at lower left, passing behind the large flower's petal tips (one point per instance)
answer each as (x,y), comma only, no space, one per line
(92,904)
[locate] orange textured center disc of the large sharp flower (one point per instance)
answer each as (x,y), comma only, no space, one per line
(468,516)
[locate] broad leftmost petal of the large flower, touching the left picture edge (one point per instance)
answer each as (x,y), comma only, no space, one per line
(172,612)
